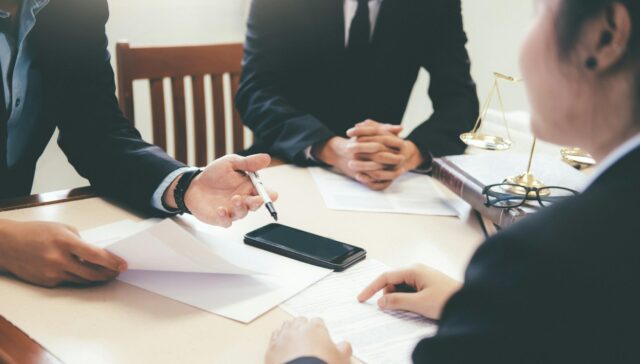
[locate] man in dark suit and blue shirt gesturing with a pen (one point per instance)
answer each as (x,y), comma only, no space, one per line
(56,73)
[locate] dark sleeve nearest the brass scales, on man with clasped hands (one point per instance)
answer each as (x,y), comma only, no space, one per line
(452,90)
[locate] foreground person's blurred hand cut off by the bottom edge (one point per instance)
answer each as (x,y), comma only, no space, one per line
(303,338)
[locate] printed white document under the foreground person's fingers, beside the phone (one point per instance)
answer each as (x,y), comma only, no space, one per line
(376,336)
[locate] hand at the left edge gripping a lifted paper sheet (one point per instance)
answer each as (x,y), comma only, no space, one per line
(50,254)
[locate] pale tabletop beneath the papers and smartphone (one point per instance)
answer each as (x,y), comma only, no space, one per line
(118,323)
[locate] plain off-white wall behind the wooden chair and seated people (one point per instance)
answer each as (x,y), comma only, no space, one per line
(495,29)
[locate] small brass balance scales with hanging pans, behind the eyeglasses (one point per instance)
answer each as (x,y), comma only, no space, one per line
(574,156)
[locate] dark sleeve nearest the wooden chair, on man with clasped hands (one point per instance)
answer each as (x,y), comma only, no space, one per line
(286,130)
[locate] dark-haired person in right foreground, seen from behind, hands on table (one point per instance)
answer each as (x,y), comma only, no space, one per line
(559,287)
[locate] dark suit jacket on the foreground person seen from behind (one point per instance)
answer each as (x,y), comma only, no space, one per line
(558,287)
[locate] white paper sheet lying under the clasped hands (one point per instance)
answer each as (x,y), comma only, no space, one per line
(412,193)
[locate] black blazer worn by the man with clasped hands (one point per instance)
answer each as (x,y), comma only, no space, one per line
(297,89)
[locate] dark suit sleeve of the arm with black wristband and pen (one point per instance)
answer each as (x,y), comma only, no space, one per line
(99,142)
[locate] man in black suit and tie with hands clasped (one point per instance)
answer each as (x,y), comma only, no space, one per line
(317,72)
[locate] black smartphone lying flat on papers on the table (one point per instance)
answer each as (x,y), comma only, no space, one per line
(305,247)
